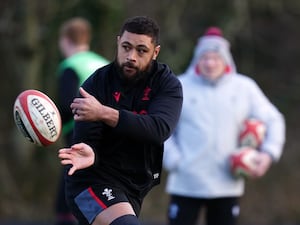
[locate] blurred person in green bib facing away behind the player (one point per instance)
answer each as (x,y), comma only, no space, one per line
(79,63)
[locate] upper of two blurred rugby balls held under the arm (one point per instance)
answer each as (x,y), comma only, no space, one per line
(252,133)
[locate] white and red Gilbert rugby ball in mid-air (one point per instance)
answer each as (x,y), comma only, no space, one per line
(37,117)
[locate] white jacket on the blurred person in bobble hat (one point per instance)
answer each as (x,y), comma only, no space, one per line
(196,155)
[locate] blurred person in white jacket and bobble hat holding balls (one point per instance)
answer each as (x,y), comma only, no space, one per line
(217,101)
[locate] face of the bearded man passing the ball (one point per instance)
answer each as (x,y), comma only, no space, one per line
(135,53)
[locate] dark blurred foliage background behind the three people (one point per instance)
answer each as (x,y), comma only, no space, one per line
(265,43)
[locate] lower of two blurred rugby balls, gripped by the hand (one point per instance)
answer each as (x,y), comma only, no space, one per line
(243,162)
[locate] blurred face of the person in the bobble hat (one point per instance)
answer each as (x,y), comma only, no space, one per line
(211,65)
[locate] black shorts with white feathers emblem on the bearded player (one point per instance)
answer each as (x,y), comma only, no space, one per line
(93,200)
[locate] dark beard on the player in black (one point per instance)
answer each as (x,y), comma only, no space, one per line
(138,75)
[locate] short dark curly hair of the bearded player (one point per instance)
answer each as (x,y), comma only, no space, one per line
(142,25)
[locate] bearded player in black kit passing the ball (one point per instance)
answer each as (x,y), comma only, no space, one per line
(123,115)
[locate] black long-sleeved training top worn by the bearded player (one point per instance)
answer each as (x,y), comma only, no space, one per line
(129,155)
